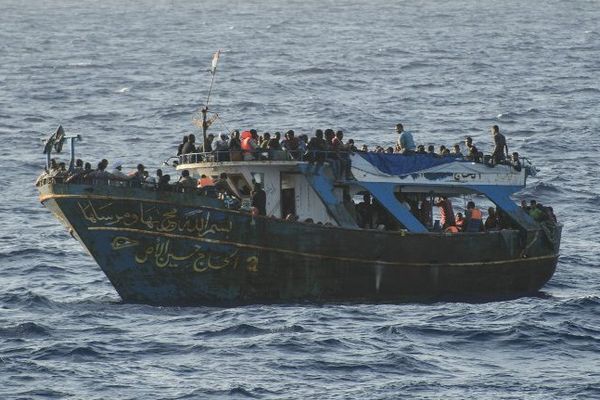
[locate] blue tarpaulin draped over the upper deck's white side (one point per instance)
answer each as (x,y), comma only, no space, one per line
(400,164)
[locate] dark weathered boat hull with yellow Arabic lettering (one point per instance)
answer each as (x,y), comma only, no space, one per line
(167,248)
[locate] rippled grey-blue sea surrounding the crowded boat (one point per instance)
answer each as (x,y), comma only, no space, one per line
(129,77)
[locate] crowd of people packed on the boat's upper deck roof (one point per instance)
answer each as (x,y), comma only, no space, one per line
(329,145)
